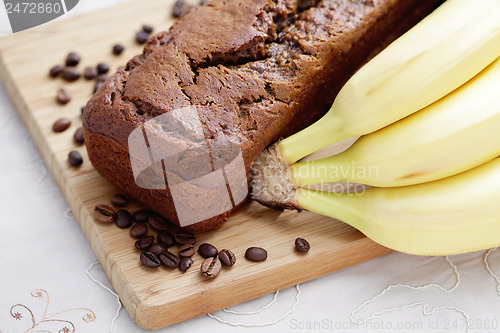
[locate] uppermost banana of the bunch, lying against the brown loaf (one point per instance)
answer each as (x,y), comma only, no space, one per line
(435,57)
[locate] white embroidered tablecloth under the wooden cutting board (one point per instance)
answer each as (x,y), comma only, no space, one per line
(45,258)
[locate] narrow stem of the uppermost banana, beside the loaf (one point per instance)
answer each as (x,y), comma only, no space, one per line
(318,135)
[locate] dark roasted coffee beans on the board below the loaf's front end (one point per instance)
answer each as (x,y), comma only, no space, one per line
(157,249)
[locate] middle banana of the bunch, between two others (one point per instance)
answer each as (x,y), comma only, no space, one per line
(454,134)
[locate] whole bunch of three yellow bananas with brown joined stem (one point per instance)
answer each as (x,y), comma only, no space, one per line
(427,109)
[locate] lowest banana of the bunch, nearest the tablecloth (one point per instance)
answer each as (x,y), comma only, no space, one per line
(453,215)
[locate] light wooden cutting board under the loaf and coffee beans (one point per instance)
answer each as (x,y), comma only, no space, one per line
(155,298)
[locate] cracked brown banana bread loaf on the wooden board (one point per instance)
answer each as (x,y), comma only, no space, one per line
(257,70)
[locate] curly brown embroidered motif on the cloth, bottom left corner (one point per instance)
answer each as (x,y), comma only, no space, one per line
(23,313)
